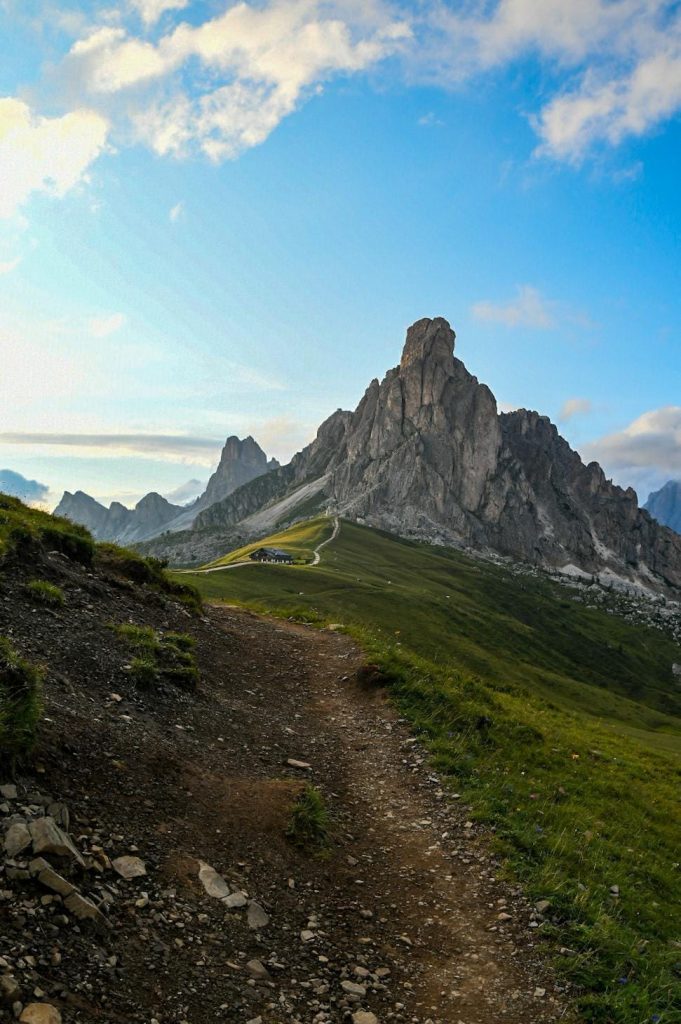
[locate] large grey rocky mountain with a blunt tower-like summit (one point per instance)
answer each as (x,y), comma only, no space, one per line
(427,455)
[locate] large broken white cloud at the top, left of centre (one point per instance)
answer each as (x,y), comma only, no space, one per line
(250,68)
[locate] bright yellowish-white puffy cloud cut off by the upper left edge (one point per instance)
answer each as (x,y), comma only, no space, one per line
(49,155)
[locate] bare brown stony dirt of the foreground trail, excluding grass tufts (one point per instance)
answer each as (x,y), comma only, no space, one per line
(401,922)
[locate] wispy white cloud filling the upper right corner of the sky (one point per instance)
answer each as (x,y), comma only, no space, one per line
(620,62)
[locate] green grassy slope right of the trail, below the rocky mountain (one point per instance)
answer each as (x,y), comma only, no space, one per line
(559,723)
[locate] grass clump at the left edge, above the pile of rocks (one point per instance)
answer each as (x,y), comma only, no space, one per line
(21,703)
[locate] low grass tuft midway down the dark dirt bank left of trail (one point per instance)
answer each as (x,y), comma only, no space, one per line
(160,656)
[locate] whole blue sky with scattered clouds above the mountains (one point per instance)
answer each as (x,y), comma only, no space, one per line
(221,219)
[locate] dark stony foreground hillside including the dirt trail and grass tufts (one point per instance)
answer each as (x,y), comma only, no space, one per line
(209,817)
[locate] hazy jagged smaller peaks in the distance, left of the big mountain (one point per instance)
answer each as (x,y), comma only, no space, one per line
(241,462)
